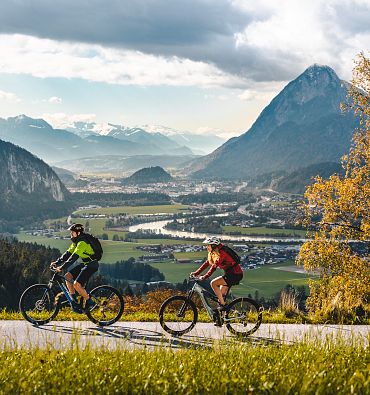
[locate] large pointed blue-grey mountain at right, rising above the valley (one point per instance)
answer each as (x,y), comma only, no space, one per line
(302,125)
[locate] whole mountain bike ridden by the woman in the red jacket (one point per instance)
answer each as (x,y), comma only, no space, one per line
(178,314)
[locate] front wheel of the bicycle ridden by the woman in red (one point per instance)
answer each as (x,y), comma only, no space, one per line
(178,315)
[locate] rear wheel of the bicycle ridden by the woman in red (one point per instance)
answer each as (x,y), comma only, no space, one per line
(244,317)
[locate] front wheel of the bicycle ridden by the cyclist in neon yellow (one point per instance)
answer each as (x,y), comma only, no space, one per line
(38,304)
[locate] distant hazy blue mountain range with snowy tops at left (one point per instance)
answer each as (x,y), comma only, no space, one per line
(53,145)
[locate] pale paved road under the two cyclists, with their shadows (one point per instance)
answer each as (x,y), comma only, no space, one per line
(129,335)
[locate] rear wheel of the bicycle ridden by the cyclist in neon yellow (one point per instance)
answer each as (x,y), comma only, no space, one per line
(109,305)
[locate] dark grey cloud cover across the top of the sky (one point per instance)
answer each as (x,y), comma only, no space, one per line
(200,30)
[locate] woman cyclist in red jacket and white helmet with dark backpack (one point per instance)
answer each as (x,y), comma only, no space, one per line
(218,257)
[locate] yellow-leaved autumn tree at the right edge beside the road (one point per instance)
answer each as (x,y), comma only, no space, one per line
(339,210)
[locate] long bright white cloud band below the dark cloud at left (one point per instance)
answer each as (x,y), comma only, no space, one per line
(47,58)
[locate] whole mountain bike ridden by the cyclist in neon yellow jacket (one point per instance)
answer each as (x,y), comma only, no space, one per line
(39,304)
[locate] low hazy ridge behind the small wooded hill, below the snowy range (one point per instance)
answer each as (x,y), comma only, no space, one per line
(123,165)
